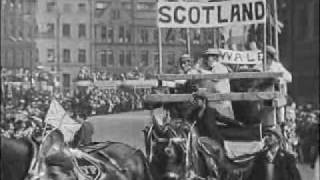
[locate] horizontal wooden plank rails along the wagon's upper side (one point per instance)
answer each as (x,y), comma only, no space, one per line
(278,96)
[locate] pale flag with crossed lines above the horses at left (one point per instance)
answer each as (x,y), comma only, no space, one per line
(58,117)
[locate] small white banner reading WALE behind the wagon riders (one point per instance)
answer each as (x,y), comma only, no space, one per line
(241,57)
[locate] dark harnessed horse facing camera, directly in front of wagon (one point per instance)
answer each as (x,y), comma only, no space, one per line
(177,152)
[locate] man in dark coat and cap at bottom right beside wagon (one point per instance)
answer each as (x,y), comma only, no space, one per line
(276,163)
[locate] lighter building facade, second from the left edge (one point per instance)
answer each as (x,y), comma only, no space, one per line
(64,38)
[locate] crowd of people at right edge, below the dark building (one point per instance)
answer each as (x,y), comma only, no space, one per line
(301,131)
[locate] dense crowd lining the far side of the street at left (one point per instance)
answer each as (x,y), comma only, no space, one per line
(24,110)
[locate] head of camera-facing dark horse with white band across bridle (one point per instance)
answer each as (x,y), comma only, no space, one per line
(169,143)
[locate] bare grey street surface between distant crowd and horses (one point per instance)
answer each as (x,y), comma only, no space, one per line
(127,128)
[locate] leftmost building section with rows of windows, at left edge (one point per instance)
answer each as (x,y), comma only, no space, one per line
(17,34)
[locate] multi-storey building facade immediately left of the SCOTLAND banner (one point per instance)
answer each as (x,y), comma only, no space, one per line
(126,37)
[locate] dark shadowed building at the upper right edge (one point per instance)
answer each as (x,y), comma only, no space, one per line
(299,47)
